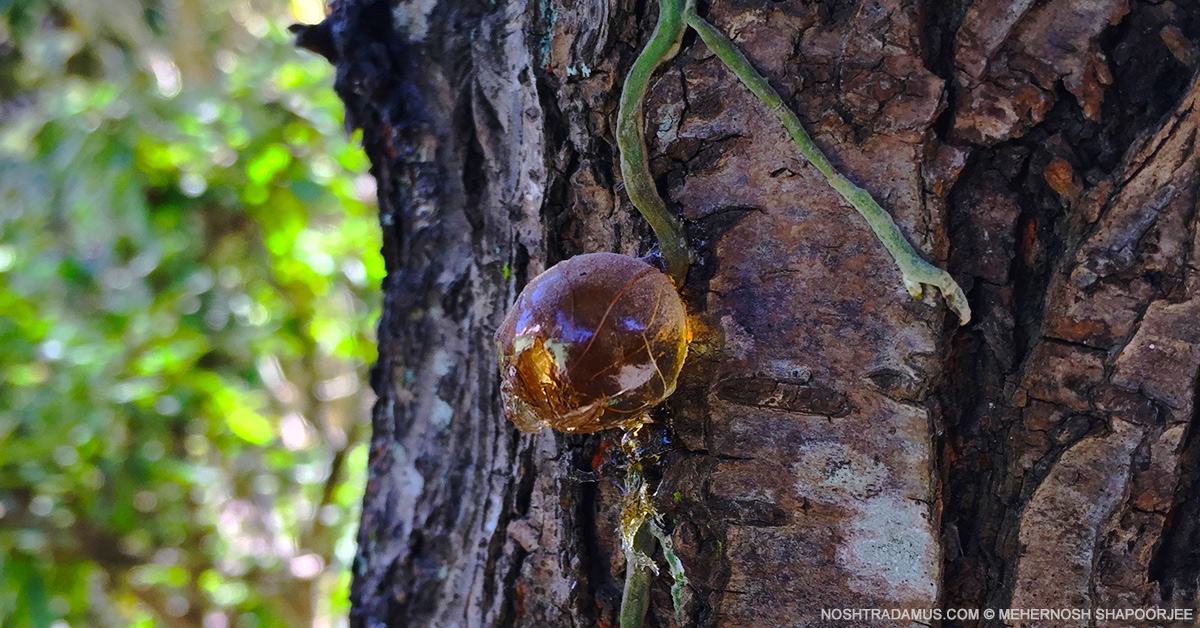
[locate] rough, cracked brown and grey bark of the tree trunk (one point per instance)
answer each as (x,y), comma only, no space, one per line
(833,442)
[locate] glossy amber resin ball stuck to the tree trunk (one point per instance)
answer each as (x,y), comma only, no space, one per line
(592,344)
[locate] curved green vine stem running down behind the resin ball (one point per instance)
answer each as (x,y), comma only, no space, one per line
(635,166)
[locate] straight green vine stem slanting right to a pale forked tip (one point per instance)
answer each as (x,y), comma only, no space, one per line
(915,271)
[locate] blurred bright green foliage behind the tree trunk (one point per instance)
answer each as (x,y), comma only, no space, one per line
(189,274)
